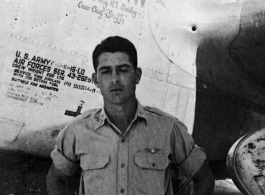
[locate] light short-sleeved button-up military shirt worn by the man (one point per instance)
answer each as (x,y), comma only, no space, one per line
(135,163)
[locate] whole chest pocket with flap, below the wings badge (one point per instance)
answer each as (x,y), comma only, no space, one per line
(150,172)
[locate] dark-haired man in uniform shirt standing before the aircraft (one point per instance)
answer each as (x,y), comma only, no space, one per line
(125,148)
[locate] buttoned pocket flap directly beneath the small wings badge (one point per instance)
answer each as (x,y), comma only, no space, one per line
(151,161)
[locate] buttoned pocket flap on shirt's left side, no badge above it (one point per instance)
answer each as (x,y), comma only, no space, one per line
(94,161)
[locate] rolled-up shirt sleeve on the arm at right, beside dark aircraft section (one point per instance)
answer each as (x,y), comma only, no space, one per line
(186,155)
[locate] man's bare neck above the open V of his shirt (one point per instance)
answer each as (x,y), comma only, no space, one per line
(121,115)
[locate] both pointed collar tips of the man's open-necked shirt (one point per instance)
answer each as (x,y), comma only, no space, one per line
(103,117)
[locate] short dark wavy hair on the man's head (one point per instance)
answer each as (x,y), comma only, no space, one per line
(115,44)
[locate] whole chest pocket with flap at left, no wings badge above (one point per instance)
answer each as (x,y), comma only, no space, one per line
(96,173)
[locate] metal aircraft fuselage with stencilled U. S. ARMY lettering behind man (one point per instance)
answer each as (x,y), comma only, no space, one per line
(202,61)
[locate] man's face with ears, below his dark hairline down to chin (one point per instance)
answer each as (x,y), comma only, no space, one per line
(116,77)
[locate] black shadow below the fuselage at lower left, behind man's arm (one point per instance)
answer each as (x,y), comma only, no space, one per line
(25,174)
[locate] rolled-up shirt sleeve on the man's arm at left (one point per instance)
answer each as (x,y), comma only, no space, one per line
(63,155)
